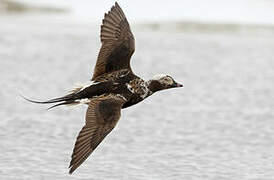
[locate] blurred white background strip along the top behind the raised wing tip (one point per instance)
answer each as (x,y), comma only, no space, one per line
(222,11)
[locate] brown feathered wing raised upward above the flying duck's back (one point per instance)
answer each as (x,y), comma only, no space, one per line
(117,43)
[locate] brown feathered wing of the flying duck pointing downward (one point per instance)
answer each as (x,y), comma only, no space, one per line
(102,115)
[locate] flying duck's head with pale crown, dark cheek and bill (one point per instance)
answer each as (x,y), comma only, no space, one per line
(162,81)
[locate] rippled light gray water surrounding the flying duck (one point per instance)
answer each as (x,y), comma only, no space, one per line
(219,126)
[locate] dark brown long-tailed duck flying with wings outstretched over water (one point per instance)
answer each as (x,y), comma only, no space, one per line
(113,86)
